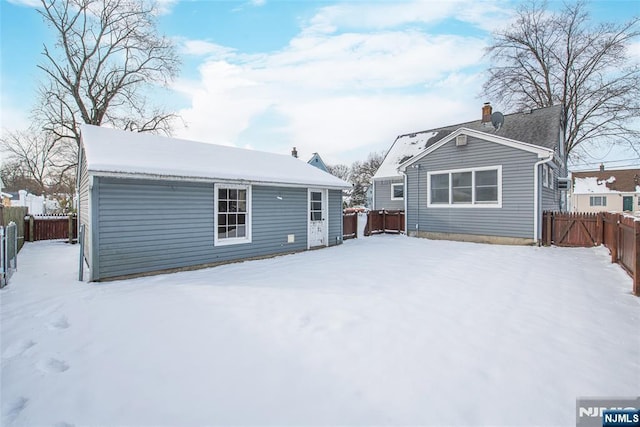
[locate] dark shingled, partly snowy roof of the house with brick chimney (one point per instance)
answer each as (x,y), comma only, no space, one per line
(539,127)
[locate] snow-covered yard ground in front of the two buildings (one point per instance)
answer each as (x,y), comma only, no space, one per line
(385,330)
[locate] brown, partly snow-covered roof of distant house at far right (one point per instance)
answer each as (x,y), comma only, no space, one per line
(605,181)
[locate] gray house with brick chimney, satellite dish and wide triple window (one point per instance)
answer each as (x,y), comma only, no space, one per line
(485,180)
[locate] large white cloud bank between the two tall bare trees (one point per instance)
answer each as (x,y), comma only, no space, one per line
(340,94)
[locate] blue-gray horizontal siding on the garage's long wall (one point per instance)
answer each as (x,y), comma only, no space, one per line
(146,226)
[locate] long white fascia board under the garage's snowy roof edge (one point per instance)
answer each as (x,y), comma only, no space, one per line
(148,176)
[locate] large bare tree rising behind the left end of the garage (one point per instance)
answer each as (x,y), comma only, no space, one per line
(107,57)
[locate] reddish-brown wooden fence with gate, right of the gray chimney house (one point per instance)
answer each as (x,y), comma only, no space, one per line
(617,232)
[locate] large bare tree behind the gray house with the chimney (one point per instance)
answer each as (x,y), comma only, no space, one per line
(548,58)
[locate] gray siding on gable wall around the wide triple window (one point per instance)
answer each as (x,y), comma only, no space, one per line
(513,219)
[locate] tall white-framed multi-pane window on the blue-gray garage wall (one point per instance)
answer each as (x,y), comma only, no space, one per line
(232,214)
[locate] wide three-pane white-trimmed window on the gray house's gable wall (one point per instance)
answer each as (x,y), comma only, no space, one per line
(478,187)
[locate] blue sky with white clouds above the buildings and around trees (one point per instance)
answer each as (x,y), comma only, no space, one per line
(339,78)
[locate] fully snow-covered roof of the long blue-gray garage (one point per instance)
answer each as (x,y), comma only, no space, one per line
(115,152)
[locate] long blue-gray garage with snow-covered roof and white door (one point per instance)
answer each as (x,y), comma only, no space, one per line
(153,204)
